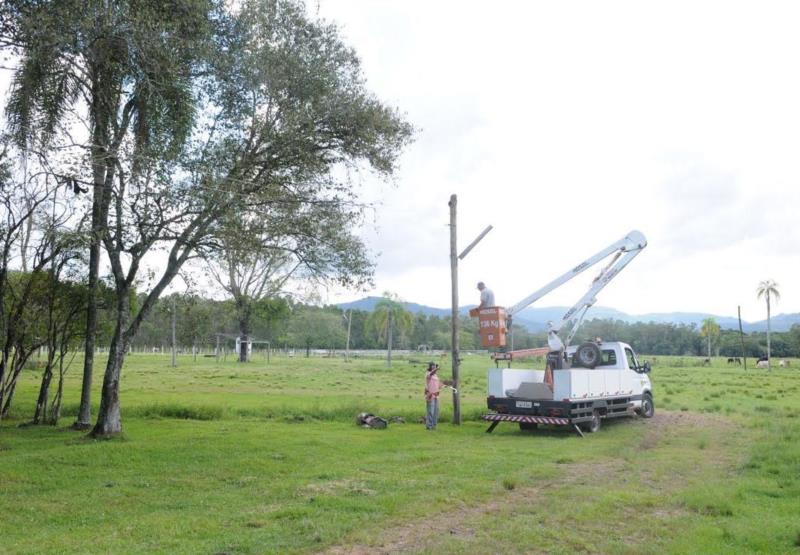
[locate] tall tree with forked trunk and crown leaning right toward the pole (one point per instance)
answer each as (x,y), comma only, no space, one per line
(284,114)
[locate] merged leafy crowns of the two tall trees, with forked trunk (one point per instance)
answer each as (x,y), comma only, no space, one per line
(201,116)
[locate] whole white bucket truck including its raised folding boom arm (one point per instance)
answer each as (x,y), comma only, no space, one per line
(580,385)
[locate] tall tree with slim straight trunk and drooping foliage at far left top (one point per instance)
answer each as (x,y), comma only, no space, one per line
(128,66)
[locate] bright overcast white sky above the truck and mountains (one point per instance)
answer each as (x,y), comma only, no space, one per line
(566,125)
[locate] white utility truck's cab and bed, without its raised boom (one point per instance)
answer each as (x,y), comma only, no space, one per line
(579,397)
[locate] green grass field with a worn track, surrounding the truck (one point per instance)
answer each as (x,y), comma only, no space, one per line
(262,458)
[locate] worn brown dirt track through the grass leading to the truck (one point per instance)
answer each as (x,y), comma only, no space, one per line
(465,524)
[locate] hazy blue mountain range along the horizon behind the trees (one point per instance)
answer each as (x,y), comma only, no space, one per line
(535,319)
